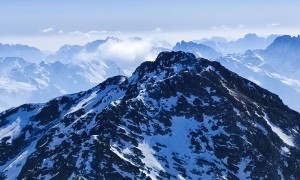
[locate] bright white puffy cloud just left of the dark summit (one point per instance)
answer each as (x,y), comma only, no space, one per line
(127,54)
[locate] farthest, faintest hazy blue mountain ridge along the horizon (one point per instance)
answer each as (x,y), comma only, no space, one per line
(211,48)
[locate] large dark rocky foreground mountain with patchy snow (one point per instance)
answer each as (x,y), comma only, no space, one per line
(177,117)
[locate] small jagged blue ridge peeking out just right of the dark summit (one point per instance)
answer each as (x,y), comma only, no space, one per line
(199,50)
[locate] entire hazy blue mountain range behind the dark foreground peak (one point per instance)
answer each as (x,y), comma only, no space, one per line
(75,68)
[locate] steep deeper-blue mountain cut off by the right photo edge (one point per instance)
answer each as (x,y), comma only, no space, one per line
(284,55)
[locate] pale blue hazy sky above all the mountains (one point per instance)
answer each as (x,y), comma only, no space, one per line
(48,24)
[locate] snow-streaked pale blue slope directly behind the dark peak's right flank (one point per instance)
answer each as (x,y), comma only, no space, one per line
(254,68)
